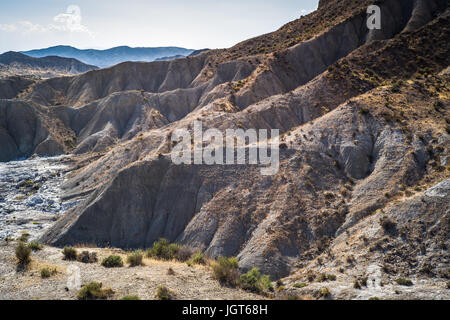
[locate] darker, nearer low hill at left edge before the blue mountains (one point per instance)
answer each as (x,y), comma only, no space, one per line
(15,63)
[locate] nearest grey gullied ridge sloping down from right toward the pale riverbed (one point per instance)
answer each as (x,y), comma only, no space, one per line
(335,171)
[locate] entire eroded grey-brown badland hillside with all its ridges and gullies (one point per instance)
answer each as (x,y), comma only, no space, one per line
(364,117)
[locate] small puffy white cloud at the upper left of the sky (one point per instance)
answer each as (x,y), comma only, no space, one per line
(64,22)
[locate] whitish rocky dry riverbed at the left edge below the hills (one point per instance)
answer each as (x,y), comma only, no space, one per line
(30,195)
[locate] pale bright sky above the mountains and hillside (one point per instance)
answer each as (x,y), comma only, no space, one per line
(102,24)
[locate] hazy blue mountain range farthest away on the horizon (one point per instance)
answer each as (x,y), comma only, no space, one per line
(109,57)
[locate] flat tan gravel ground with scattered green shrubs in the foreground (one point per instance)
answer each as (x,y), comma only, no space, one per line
(193,283)
